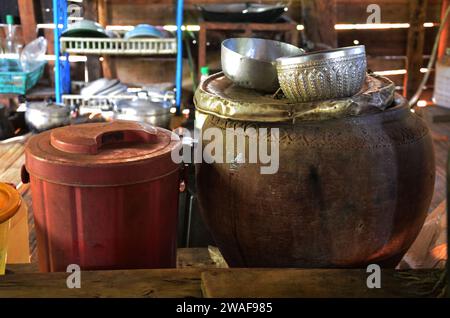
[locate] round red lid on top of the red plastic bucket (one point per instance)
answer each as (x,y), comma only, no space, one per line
(113,153)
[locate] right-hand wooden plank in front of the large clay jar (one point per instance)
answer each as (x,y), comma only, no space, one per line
(316,283)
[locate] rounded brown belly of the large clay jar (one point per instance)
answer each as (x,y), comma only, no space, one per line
(344,204)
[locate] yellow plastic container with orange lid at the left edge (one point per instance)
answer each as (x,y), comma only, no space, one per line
(10,202)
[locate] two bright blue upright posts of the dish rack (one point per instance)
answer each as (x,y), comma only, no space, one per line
(62,67)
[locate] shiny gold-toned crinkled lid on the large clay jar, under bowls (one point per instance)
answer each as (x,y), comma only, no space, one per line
(218,96)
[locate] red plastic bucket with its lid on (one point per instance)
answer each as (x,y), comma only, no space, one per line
(105,196)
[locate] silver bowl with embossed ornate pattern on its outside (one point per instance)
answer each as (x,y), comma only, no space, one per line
(322,75)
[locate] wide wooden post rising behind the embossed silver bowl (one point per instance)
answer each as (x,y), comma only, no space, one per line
(319,18)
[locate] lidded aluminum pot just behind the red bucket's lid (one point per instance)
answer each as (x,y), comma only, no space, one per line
(144,109)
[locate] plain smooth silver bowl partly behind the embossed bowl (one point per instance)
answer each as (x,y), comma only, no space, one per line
(250,62)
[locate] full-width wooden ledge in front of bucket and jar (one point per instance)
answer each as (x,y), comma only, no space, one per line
(223,283)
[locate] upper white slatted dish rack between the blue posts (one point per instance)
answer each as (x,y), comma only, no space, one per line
(104,46)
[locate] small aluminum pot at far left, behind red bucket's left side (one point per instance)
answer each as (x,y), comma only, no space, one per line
(43,116)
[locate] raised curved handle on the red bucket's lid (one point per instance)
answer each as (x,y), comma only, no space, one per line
(89,138)
